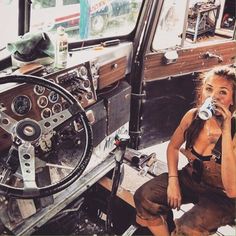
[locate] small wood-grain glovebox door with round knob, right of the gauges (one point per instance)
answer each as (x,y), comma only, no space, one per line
(112,72)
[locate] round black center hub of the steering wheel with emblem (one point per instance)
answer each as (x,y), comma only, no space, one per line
(28,130)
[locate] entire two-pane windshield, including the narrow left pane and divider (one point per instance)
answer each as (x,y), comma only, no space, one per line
(82,19)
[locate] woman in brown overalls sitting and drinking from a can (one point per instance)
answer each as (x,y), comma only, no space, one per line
(209,180)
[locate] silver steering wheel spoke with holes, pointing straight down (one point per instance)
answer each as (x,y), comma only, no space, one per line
(27,165)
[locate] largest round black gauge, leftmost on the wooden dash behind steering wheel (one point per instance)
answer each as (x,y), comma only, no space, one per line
(21,105)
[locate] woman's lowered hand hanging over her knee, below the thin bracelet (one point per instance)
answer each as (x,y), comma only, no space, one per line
(173,193)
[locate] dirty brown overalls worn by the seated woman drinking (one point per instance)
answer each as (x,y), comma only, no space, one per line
(212,207)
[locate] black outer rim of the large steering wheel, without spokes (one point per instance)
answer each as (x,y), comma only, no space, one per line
(75,109)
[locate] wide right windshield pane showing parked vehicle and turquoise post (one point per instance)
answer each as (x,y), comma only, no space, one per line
(85,19)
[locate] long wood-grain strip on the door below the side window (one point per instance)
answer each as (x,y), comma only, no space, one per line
(190,60)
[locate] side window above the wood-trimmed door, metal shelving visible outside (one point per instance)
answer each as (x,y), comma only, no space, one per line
(187,22)
